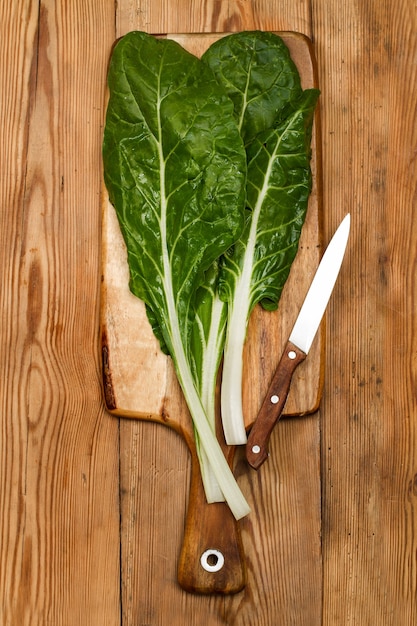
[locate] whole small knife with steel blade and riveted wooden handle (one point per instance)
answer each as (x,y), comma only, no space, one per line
(298,345)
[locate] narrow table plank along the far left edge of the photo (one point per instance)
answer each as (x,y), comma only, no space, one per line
(16,75)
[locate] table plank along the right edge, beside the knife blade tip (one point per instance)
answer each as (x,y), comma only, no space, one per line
(368,59)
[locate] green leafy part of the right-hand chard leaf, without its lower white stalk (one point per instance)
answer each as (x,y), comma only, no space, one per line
(278,187)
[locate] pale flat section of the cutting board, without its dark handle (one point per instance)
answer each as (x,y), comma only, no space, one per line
(153,369)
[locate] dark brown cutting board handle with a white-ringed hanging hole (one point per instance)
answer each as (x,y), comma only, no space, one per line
(212,559)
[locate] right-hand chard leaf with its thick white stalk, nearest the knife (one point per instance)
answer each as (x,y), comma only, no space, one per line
(278,188)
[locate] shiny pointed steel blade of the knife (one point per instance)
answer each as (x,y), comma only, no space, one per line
(318,295)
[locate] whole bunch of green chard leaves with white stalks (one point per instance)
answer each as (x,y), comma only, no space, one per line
(207,165)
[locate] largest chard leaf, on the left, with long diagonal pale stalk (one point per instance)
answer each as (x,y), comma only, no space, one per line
(175,170)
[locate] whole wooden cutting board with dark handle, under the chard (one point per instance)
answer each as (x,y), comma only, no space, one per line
(140,383)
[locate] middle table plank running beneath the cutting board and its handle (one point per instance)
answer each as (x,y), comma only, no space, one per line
(284,568)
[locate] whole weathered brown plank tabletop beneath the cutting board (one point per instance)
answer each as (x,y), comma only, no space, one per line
(92,507)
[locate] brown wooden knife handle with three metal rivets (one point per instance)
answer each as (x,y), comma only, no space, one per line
(272,406)
